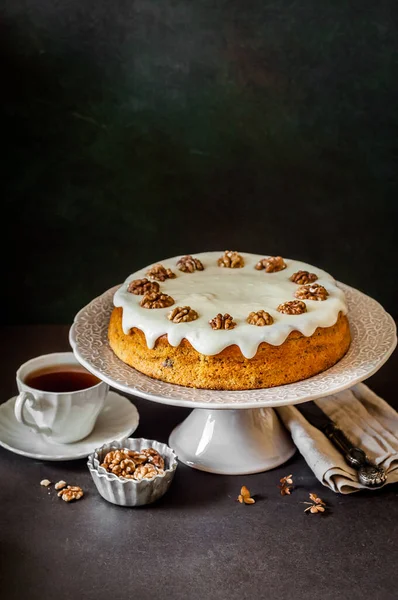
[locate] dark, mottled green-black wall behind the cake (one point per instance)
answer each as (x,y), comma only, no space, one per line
(136,130)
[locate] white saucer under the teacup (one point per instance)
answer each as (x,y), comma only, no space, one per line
(118,419)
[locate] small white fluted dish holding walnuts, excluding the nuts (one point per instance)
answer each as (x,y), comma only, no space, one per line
(129,492)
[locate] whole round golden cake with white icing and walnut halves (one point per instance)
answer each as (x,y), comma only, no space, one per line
(229,321)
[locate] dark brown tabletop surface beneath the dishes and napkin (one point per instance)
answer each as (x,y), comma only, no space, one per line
(196,543)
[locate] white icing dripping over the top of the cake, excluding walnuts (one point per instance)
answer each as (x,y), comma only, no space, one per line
(237,292)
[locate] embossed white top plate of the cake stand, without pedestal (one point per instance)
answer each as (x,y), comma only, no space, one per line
(373,334)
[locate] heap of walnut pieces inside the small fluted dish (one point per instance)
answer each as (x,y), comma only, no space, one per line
(130,463)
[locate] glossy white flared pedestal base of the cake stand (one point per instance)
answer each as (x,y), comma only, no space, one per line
(232,442)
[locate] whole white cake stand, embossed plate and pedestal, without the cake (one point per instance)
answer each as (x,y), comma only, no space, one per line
(238,432)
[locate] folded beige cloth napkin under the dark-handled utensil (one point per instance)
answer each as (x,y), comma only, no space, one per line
(366,419)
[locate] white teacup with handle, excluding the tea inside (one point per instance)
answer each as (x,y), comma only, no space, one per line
(64,417)
